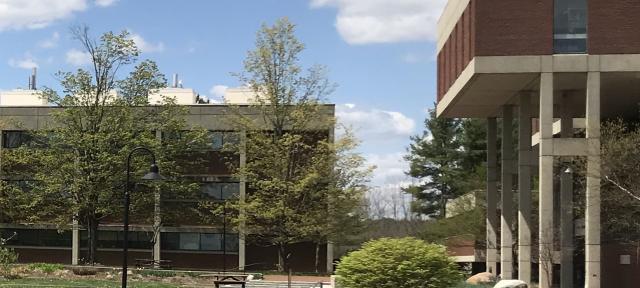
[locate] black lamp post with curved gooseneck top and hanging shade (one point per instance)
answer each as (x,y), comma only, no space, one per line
(152,175)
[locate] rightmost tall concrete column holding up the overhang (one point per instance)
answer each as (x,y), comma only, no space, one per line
(592,212)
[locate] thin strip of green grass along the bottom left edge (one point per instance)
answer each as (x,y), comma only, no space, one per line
(26,283)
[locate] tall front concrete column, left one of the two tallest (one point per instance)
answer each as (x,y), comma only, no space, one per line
(545,202)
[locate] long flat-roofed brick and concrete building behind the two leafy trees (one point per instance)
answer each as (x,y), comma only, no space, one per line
(185,241)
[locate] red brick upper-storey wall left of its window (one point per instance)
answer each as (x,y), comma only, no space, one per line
(496,28)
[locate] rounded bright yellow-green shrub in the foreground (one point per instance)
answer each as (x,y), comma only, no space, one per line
(398,263)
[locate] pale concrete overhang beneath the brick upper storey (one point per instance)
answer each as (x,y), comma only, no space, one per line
(489,82)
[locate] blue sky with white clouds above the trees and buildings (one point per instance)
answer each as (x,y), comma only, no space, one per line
(381,53)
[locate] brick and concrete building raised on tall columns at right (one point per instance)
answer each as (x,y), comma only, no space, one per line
(558,67)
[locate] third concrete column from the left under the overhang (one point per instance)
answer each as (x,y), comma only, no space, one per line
(524,188)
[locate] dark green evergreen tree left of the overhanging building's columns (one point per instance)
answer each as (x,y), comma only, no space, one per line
(445,160)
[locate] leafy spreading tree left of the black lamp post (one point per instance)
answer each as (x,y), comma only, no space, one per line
(75,167)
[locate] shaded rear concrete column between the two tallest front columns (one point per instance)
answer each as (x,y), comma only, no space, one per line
(566,202)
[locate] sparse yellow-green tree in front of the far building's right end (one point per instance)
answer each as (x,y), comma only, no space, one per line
(300,181)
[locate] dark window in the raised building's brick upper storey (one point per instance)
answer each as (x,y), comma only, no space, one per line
(570,26)
